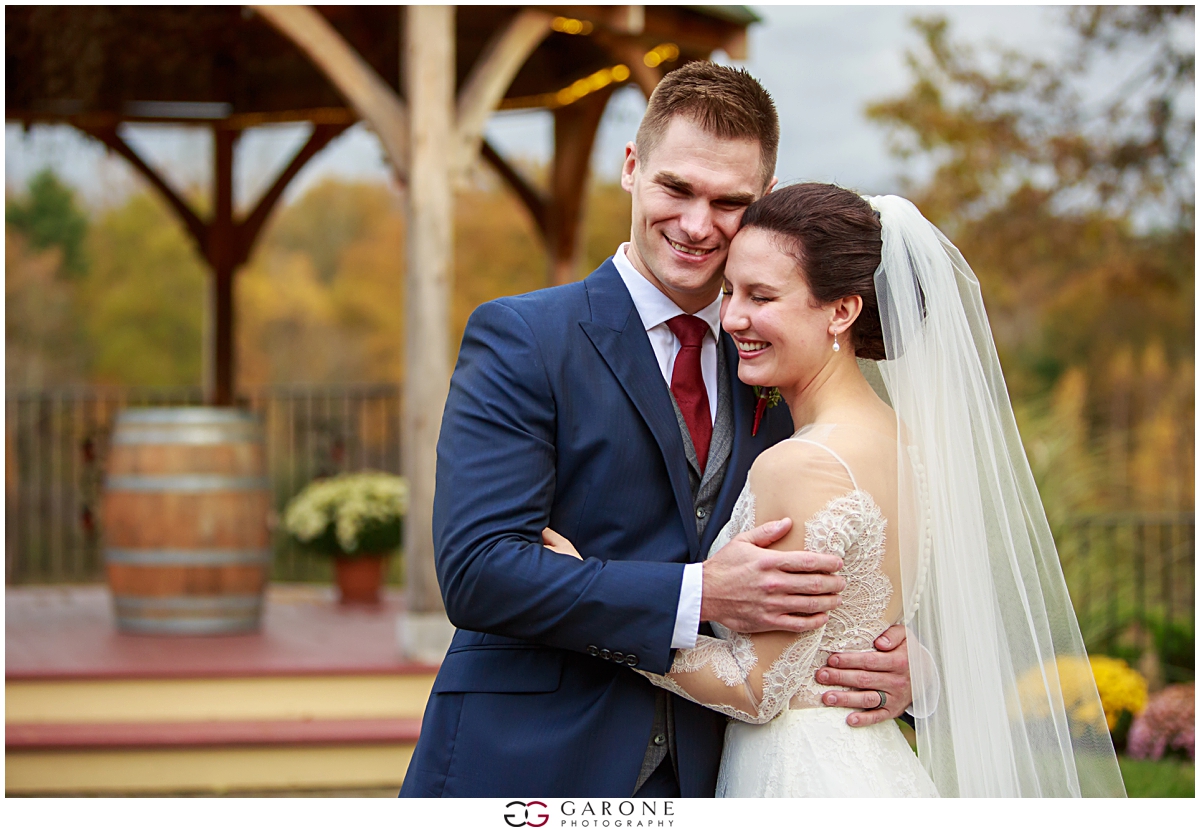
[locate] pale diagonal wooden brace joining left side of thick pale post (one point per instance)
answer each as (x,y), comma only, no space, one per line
(351,75)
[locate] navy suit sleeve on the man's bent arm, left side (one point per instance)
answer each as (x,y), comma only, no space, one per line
(495,491)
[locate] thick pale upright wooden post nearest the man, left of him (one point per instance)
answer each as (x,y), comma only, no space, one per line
(429,50)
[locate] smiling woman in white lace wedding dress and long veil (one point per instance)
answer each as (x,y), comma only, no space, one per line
(919,480)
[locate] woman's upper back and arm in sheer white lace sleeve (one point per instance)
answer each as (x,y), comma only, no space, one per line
(843,479)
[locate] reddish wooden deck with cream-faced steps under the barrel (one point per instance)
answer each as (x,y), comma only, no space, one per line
(319,700)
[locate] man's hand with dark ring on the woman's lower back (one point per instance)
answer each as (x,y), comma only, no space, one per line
(886,669)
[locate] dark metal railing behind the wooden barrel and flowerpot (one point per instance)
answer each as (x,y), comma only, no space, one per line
(57,446)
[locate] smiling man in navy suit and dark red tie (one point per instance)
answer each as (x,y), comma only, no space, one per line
(610,412)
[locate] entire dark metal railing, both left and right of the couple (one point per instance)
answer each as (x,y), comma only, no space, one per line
(1123,569)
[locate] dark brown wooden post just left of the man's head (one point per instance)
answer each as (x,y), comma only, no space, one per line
(575,131)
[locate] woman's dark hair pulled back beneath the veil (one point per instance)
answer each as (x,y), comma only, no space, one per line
(835,237)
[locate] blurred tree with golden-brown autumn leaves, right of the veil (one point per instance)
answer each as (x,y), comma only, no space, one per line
(1077,213)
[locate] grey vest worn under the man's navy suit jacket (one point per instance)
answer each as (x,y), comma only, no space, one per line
(704,496)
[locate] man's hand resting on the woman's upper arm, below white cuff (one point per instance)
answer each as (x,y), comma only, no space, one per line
(752,590)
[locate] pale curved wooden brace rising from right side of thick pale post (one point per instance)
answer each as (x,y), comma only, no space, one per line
(491,77)
